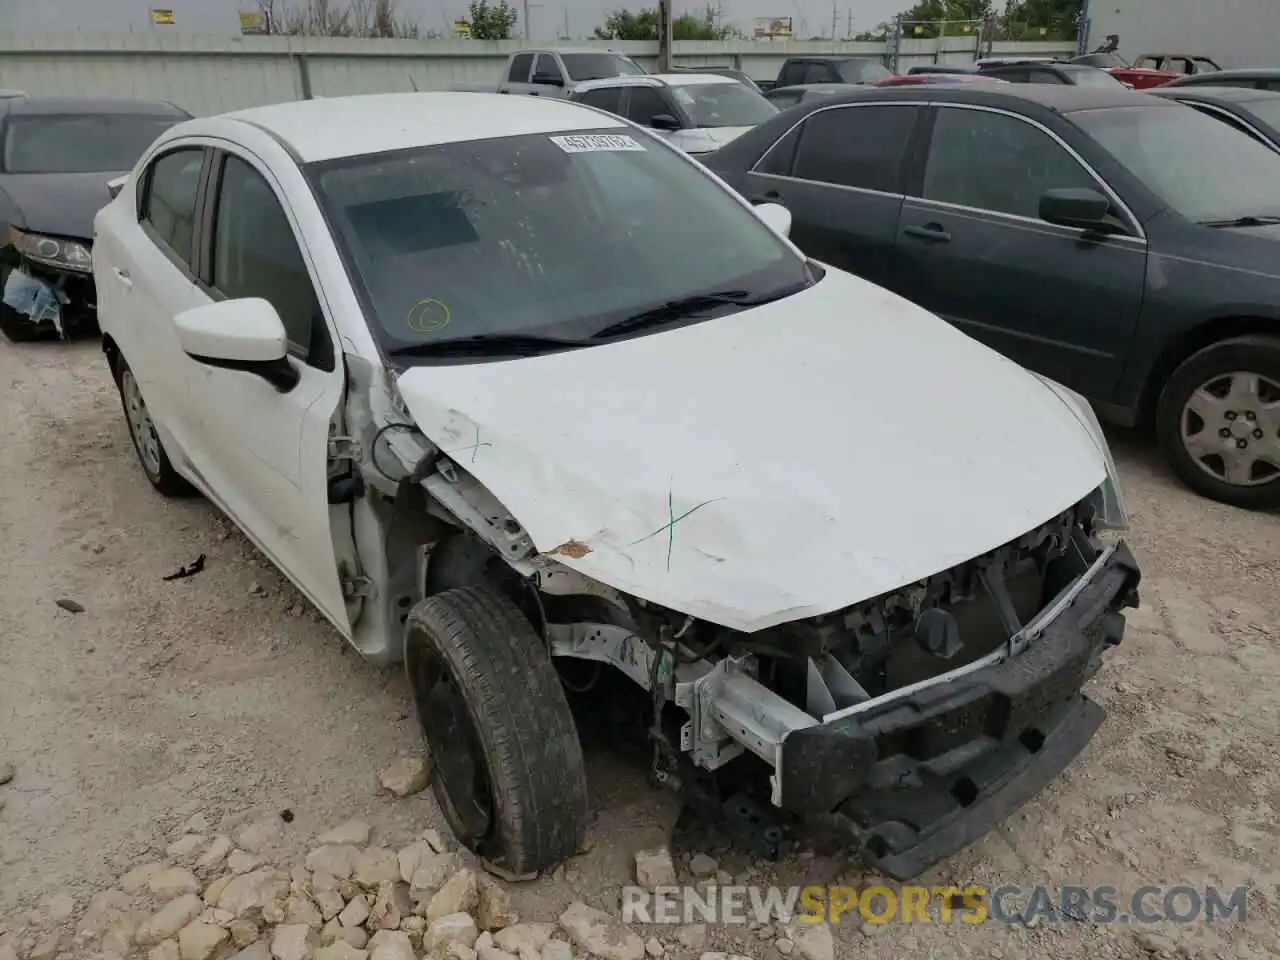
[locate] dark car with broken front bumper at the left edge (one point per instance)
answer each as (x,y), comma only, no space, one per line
(57,158)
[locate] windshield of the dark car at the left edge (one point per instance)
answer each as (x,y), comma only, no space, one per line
(80,144)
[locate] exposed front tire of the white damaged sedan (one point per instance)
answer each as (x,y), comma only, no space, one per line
(509,766)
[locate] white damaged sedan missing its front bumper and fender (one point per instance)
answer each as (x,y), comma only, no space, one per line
(523,397)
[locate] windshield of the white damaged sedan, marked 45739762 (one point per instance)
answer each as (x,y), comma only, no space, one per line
(541,236)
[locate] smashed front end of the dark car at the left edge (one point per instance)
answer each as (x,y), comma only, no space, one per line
(48,286)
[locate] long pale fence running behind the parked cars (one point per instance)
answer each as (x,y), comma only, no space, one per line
(214,75)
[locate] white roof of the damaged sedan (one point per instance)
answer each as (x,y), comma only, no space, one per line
(377,124)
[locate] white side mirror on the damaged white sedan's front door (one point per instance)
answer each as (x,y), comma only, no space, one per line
(240,335)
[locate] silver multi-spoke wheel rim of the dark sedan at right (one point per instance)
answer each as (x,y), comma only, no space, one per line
(1231,428)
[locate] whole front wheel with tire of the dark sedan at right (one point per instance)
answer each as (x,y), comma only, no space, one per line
(1219,423)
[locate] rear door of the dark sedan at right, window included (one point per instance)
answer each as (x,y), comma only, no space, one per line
(840,175)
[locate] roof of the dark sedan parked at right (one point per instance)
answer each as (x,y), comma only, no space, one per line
(1055,98)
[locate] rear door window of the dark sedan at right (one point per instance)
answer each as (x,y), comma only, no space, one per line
(856,147)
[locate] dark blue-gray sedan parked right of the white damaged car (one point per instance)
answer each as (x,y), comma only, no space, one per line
(1121,244)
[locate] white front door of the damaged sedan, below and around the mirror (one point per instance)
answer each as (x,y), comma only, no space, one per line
(266,452)
